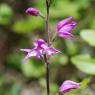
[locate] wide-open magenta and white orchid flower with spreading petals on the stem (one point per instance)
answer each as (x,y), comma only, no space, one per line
(40,48)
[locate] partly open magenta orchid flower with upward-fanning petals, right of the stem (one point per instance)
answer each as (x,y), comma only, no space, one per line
(64,26)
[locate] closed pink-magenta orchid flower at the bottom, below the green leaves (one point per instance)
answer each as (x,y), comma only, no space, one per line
(68,85)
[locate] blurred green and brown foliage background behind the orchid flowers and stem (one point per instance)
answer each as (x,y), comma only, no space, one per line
(19,30)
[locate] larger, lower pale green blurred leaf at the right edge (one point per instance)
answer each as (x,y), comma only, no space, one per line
(84,63)
